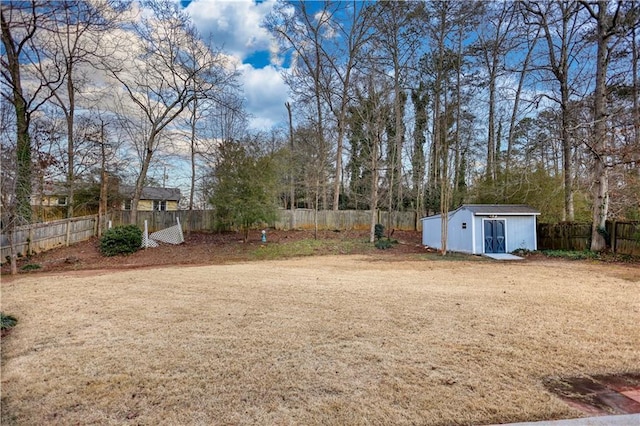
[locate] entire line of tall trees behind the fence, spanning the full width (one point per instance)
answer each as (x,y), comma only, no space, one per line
(413,105)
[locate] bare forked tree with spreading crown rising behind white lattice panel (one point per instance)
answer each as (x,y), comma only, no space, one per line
(170,68)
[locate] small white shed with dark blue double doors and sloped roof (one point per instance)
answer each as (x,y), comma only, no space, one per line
(484,228)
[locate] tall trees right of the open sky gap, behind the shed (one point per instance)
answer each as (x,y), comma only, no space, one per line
(425,105)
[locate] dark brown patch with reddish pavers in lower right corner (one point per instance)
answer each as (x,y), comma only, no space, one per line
(600,394)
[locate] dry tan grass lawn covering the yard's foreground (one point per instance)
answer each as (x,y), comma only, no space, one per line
(320,340)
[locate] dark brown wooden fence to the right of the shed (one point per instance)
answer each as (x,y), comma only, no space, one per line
(622,237)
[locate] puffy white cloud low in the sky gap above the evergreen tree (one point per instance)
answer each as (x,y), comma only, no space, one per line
(266,94)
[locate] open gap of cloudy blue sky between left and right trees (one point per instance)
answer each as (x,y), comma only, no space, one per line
(235,26)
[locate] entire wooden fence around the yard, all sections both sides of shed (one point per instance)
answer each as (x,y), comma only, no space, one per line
(623,237)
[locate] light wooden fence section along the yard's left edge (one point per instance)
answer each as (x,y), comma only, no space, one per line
(44,236)
